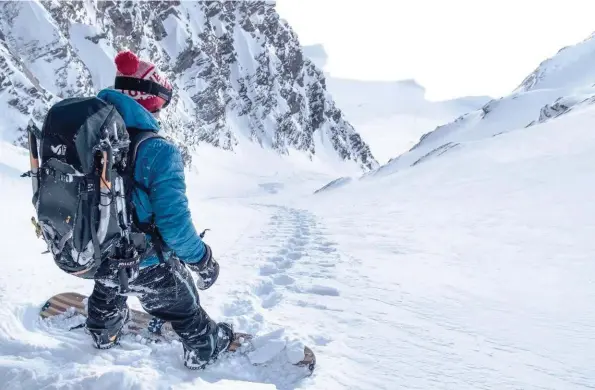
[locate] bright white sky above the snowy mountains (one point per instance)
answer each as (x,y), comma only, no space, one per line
(451,47)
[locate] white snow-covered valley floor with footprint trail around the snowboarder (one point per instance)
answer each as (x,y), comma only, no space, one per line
(472,271)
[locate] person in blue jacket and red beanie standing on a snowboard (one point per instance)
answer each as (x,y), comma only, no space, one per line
(165,288)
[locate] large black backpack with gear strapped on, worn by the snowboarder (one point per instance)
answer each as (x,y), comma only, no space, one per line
(82,186)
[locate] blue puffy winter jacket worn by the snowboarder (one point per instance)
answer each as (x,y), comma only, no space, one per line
(159,168)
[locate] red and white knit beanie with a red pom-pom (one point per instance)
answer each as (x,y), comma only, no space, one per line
(129,65)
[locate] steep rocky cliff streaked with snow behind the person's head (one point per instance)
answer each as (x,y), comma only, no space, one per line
(238,69)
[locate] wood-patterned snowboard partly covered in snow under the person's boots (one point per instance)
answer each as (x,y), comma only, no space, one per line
(258,349)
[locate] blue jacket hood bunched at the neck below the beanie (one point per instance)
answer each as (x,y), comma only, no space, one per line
(134,114)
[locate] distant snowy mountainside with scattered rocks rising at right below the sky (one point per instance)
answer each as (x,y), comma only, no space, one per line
(556,87)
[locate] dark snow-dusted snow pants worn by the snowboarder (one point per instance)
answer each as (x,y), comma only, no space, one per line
(165,291)
